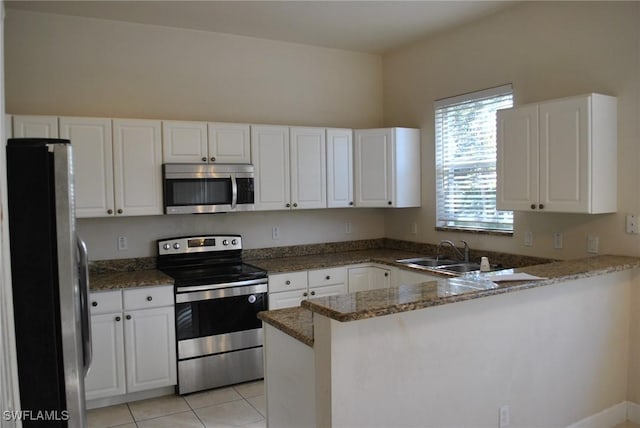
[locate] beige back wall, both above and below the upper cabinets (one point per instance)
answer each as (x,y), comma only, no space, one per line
(64,65)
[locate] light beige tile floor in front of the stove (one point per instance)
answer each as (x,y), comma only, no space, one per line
(235,406)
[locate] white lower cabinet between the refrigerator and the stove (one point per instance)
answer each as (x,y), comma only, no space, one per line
(133,339)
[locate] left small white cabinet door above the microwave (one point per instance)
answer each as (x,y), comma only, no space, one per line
(184,142)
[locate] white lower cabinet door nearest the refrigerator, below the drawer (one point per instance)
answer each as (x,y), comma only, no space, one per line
(106,376)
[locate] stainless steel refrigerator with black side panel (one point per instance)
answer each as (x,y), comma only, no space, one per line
(49,278)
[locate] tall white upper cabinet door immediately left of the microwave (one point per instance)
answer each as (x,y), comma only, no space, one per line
(137,164)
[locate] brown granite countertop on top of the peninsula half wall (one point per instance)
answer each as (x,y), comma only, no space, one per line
(368,304)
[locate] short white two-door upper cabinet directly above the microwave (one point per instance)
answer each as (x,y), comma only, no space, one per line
(202,142)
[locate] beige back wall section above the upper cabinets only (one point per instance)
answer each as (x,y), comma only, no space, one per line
(80,66)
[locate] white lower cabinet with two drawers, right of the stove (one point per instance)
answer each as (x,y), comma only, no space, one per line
(289,289)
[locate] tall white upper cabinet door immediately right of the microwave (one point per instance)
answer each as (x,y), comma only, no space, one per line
(270,154)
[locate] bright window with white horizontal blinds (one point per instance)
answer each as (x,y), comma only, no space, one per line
(466,160)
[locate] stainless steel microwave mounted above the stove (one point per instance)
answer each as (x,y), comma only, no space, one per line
(210,188)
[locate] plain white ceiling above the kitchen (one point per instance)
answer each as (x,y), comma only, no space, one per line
(366,26)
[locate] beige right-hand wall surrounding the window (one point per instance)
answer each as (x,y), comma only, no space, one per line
(547,50)
